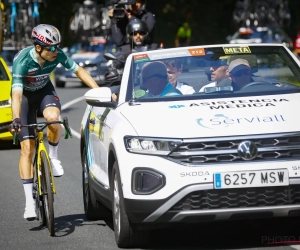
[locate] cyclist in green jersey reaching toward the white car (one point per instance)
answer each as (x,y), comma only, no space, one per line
(32,90)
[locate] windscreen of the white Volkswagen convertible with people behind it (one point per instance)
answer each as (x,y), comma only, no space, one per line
(271,70)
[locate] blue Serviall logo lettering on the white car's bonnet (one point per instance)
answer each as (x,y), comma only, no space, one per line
(223,121)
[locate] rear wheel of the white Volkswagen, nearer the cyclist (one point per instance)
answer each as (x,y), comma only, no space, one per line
(93,209)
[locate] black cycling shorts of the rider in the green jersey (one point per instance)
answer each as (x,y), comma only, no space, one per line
(33,101)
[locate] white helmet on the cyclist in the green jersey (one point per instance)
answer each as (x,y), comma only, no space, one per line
(45,35)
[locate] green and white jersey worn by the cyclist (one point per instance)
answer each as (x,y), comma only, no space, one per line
(30,76)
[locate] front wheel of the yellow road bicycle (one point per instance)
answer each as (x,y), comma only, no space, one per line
(47,193)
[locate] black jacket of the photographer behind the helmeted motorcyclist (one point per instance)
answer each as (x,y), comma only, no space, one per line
(118,27)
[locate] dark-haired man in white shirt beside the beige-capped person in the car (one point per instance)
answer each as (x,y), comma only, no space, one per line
(218,73)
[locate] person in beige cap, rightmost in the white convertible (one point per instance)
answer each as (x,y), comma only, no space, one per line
(240,73)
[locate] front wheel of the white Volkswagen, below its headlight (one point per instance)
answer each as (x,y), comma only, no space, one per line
(126,233)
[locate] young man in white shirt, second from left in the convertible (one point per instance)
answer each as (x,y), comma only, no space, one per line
(174,69)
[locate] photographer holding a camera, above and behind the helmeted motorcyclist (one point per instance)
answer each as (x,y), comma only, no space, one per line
(125,11)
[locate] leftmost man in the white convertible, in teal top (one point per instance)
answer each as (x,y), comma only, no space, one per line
(155,80)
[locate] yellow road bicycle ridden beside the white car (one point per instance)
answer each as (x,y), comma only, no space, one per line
(44,186)
